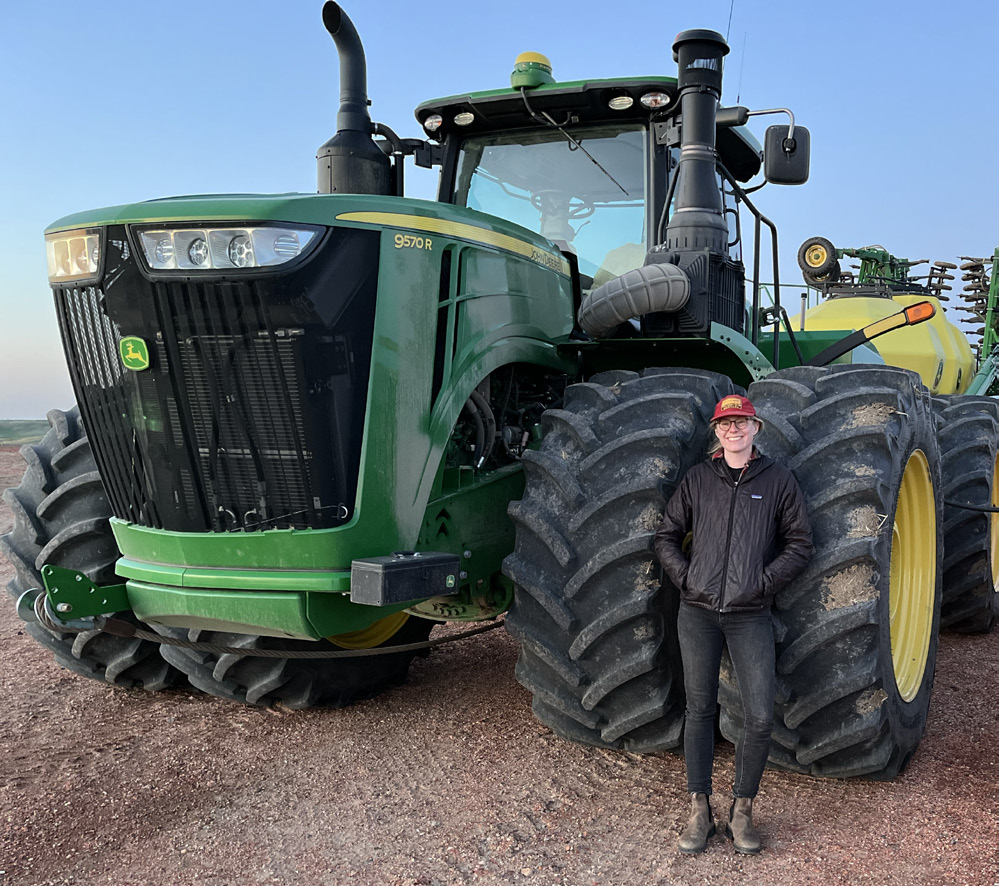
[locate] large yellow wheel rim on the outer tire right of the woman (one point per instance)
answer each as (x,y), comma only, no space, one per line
(913,576)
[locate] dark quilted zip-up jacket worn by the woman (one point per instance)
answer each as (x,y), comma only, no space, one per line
(750,537)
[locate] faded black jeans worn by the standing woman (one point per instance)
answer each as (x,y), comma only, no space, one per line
(750,639)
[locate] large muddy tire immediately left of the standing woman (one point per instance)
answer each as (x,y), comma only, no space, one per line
(595,624)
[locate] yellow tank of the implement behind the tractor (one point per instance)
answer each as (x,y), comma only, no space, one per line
(936,348)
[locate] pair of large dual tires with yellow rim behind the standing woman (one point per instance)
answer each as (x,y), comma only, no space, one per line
(856,632)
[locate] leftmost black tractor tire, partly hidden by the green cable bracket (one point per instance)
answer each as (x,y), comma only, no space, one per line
(61,518)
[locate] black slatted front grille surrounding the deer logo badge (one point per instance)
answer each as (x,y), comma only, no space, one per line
(250,414)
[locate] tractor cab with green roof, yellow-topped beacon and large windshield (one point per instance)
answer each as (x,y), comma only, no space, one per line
(586,164)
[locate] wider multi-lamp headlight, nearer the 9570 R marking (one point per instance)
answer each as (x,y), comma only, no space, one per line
(217,248)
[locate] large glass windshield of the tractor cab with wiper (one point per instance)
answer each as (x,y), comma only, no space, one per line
(589,200)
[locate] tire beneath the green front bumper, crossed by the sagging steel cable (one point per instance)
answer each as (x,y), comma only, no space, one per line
(290,682)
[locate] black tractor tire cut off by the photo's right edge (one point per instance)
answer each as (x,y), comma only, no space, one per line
(969,435)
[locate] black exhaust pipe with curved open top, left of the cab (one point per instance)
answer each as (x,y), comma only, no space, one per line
(351,162)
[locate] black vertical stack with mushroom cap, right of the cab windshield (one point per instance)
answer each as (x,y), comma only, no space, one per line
(698,220)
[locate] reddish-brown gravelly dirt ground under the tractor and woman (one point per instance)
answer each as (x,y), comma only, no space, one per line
(446,780)
